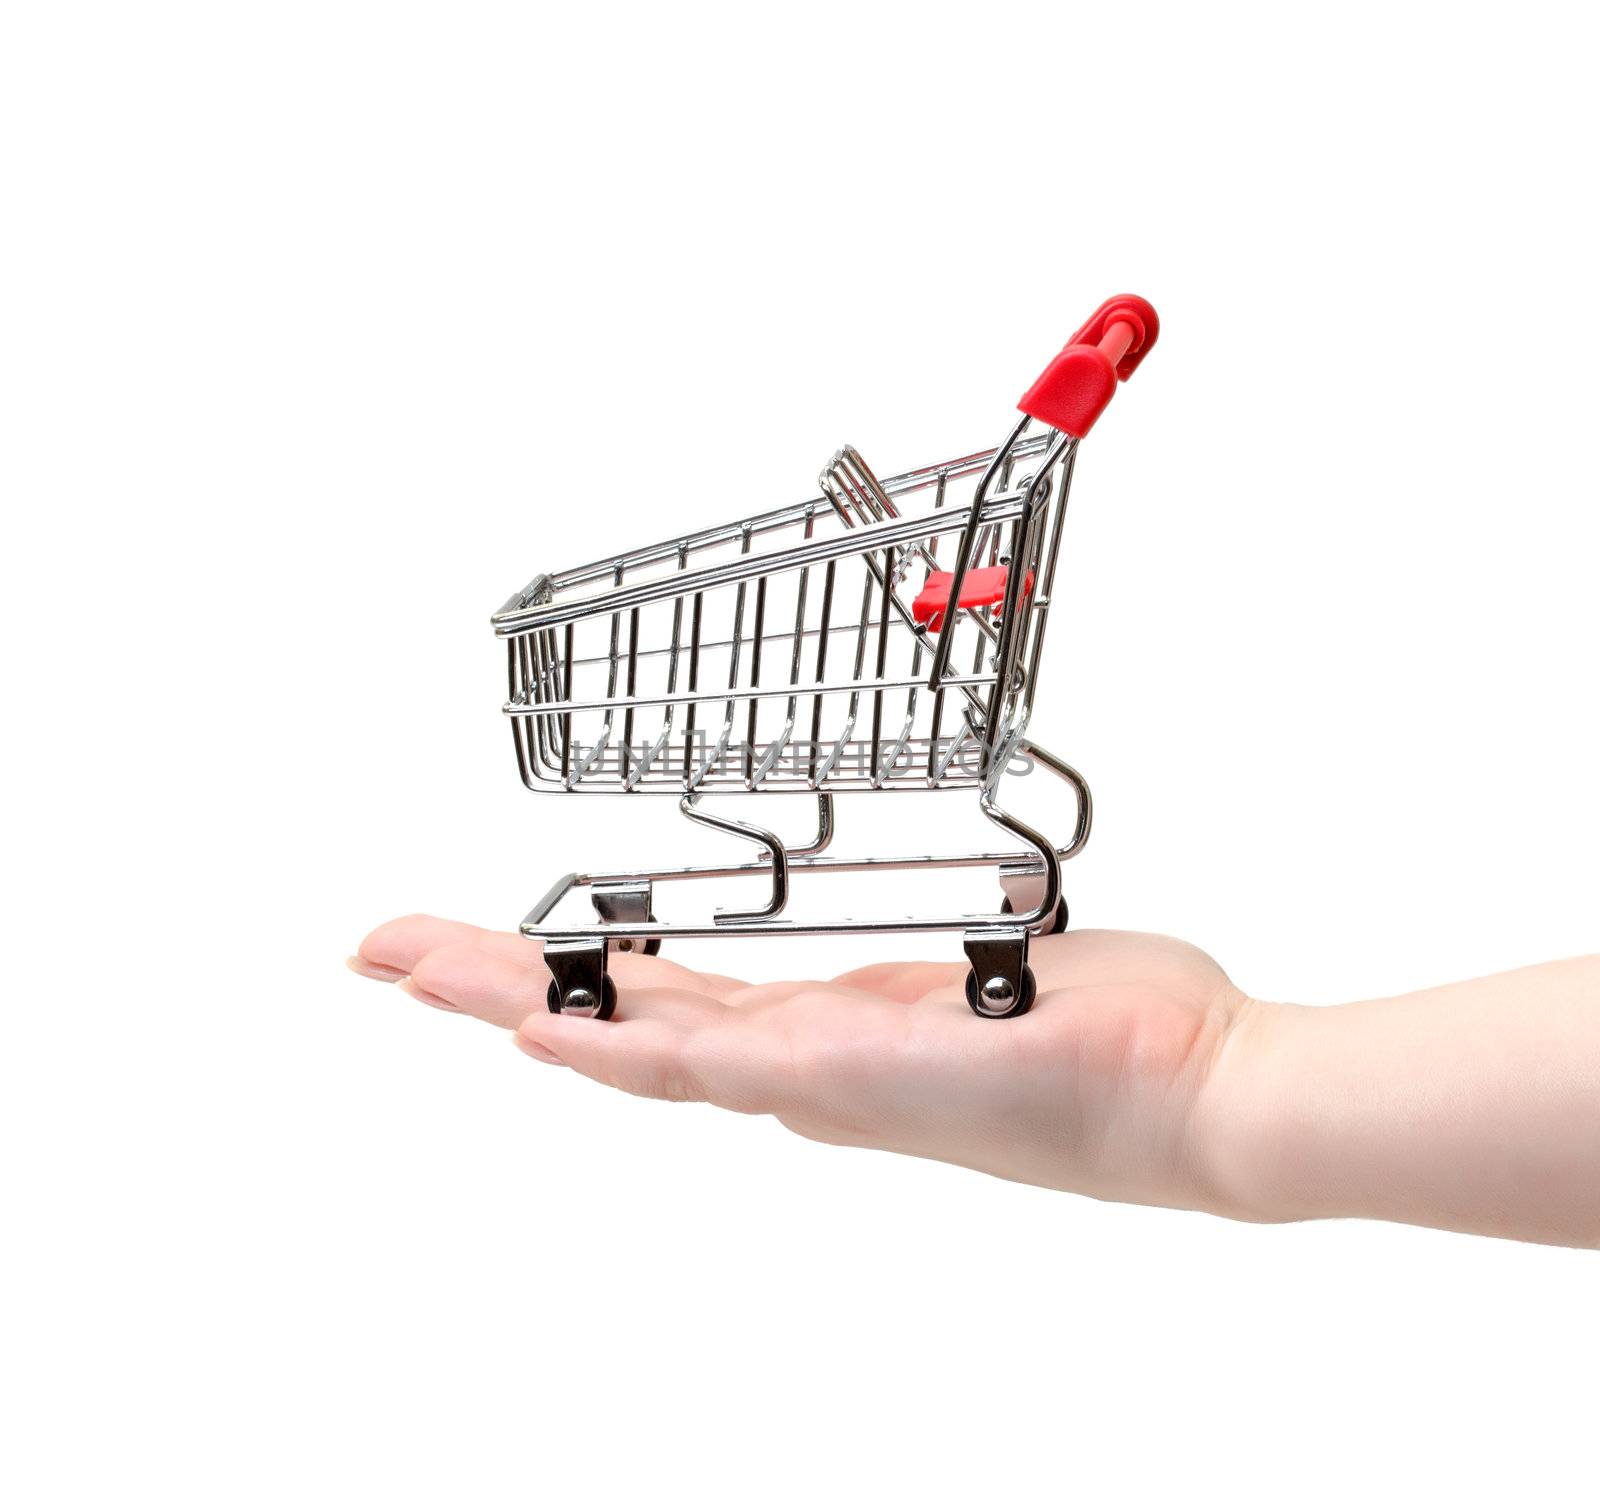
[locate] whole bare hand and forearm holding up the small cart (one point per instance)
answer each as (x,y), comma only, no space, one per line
(1142,1076)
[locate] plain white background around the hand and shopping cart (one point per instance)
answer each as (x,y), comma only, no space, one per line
(329,326)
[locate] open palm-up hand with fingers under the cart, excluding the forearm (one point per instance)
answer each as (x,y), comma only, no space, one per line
(1098,1090)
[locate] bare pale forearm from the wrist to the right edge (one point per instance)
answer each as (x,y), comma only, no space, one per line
(1468,1108)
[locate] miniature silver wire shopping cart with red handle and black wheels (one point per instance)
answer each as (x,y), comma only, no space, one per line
(884,636)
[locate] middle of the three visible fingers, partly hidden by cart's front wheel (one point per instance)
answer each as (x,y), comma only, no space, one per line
(481,980)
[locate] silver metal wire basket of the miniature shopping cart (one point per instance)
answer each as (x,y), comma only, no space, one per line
(783,652)
